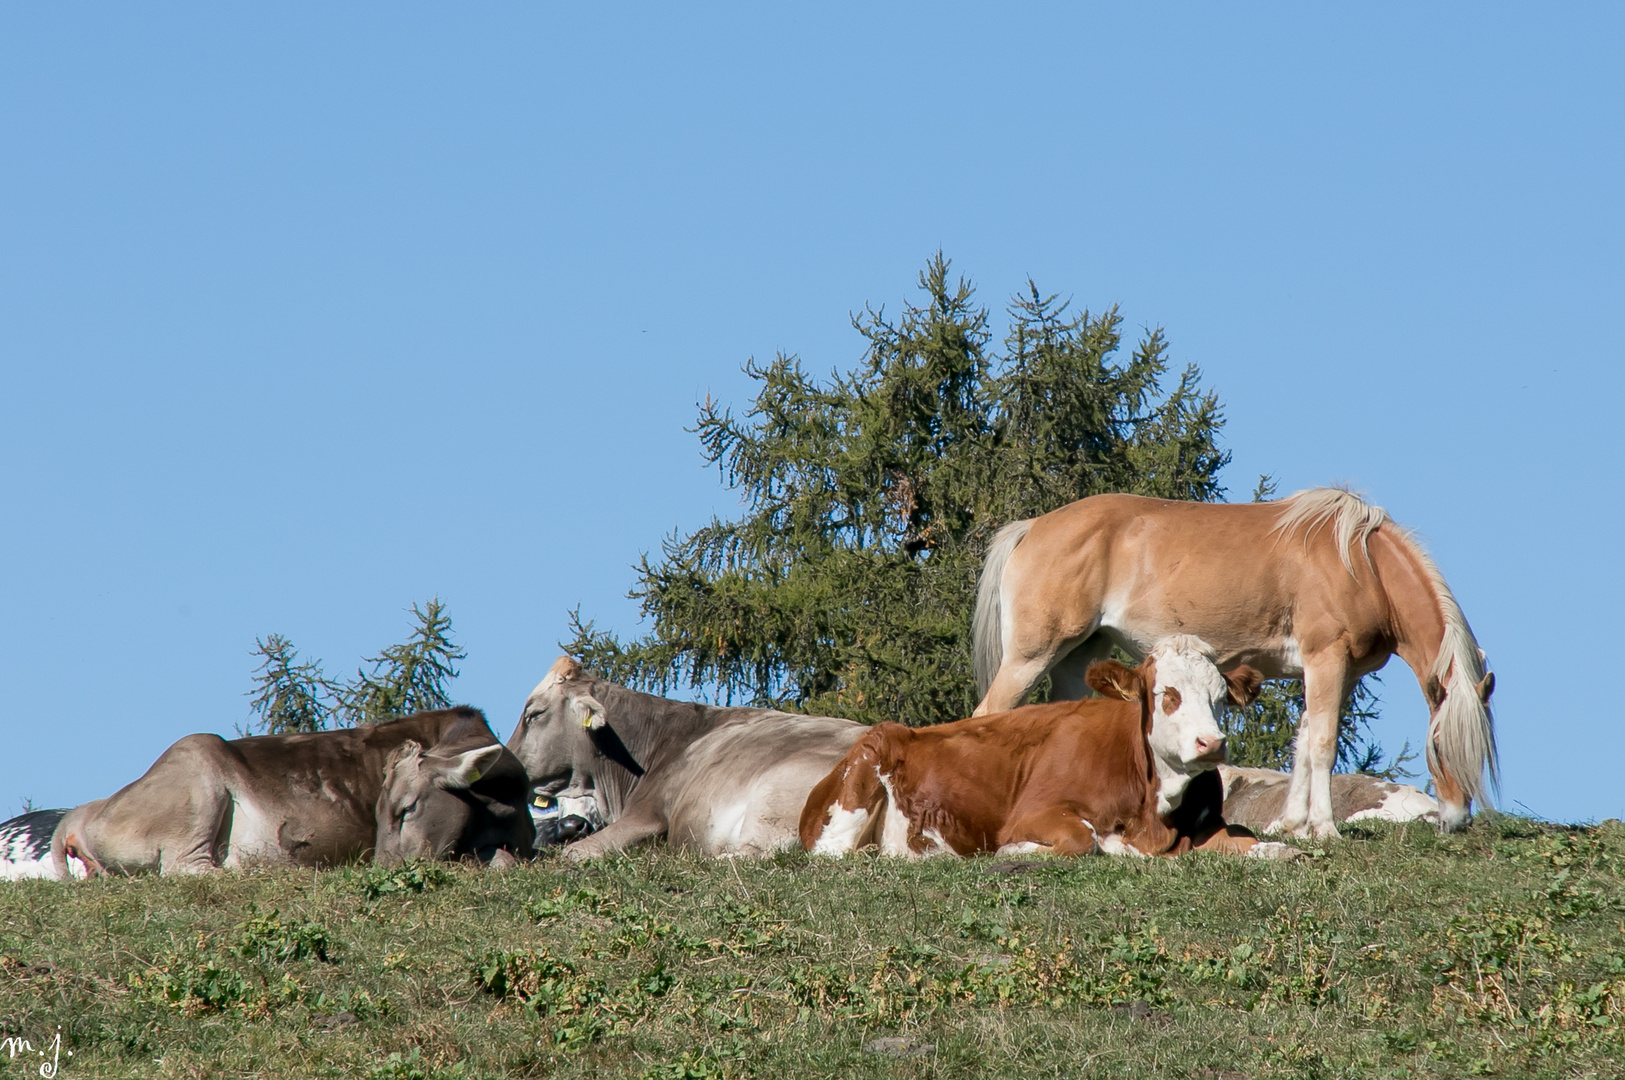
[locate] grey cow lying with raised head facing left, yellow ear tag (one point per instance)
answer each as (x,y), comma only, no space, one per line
(719,780)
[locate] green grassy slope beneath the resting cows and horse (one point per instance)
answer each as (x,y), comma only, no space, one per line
(1393,954)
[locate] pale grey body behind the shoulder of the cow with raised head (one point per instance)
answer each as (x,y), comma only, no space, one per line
(740,788)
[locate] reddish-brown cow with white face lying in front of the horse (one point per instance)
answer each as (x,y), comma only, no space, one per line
(1129,774)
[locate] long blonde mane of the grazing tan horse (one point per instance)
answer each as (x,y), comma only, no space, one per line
(1462,733)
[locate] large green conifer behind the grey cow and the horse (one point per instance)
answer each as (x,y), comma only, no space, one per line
(847,585)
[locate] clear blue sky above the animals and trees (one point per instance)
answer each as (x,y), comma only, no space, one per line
(313,313)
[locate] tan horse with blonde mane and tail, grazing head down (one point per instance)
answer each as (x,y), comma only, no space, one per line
(1319,585)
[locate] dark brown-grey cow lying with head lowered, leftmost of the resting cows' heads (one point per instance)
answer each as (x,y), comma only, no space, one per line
(428,785)
